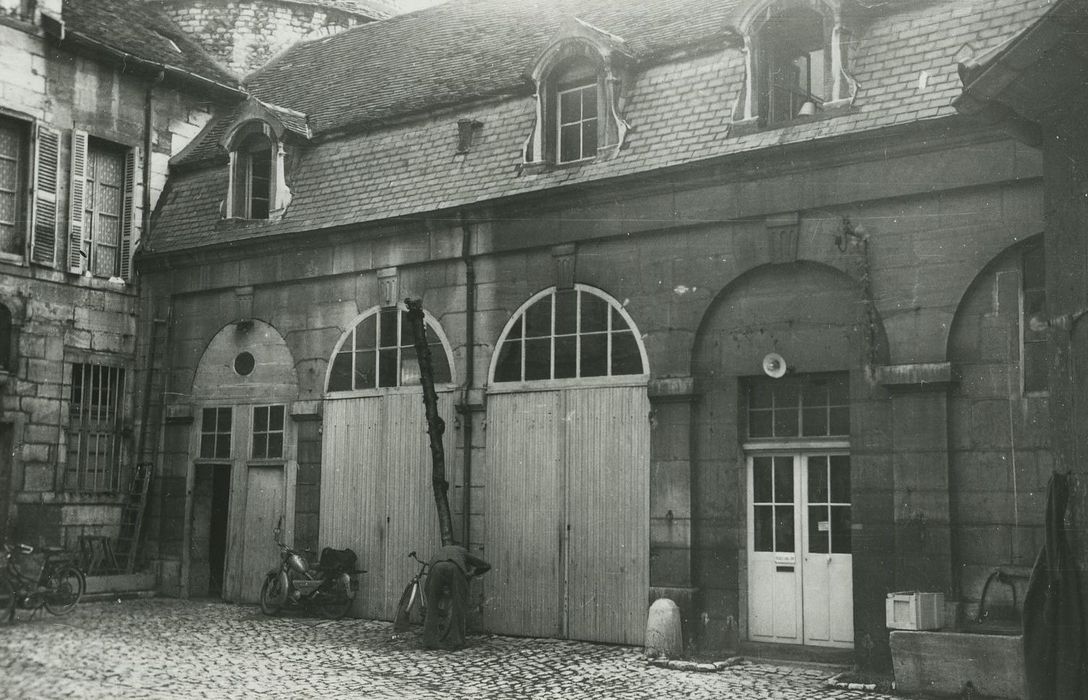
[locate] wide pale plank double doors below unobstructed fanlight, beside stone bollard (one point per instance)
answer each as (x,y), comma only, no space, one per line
(567,513)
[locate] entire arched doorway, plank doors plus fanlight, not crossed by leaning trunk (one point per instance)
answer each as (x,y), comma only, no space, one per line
(568,472)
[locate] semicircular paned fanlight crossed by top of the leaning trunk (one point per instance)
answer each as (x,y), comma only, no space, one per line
(380,352)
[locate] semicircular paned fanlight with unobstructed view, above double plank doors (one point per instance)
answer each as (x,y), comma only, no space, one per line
(570,335)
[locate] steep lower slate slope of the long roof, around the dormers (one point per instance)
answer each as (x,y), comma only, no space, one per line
(679,112)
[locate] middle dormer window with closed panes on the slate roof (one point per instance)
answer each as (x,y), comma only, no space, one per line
(578,110)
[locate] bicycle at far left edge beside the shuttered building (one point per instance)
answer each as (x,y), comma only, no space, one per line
(58,587)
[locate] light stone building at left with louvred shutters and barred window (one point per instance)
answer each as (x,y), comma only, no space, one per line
(95,99)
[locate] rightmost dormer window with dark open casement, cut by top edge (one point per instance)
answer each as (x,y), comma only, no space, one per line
(795,62)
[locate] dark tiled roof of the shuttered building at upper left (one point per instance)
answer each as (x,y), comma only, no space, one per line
(141,29)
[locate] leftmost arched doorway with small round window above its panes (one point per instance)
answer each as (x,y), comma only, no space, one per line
(242,480)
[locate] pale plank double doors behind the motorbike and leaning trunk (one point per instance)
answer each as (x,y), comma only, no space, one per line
(376,490)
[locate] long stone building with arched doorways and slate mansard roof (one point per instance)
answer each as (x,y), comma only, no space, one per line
(727,301)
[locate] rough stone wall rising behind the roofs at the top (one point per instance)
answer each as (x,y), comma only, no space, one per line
(244,35)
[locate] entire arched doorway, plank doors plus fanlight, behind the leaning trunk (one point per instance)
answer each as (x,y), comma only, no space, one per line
(376,475)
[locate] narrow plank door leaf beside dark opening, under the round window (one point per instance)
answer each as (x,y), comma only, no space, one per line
(265,508)
